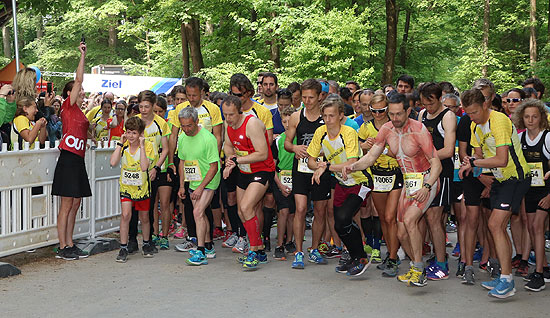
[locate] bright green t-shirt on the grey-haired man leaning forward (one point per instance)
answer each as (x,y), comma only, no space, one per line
(198,152)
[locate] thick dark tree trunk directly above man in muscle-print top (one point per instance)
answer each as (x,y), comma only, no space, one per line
(391,42)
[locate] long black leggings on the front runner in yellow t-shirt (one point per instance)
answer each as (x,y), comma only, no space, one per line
(347,230)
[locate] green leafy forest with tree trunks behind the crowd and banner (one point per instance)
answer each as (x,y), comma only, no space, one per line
(369,41)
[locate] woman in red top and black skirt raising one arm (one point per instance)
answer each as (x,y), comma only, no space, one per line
(70,180)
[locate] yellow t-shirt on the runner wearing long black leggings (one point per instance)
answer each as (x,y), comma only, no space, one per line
(345,146)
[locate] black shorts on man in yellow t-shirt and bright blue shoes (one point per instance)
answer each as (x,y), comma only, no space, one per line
(507,195)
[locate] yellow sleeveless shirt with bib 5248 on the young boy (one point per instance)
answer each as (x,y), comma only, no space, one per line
(134,183)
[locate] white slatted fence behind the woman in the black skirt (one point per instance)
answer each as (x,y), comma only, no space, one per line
(28,211)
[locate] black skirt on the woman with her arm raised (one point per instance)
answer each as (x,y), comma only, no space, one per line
(70,178)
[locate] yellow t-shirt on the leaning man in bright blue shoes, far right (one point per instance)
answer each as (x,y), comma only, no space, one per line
(496,132)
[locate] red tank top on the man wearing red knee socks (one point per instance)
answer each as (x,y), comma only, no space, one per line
(243,146)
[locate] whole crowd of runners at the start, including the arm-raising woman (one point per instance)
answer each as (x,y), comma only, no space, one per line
(398,166)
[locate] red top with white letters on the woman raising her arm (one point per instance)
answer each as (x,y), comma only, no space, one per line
(75,128)
